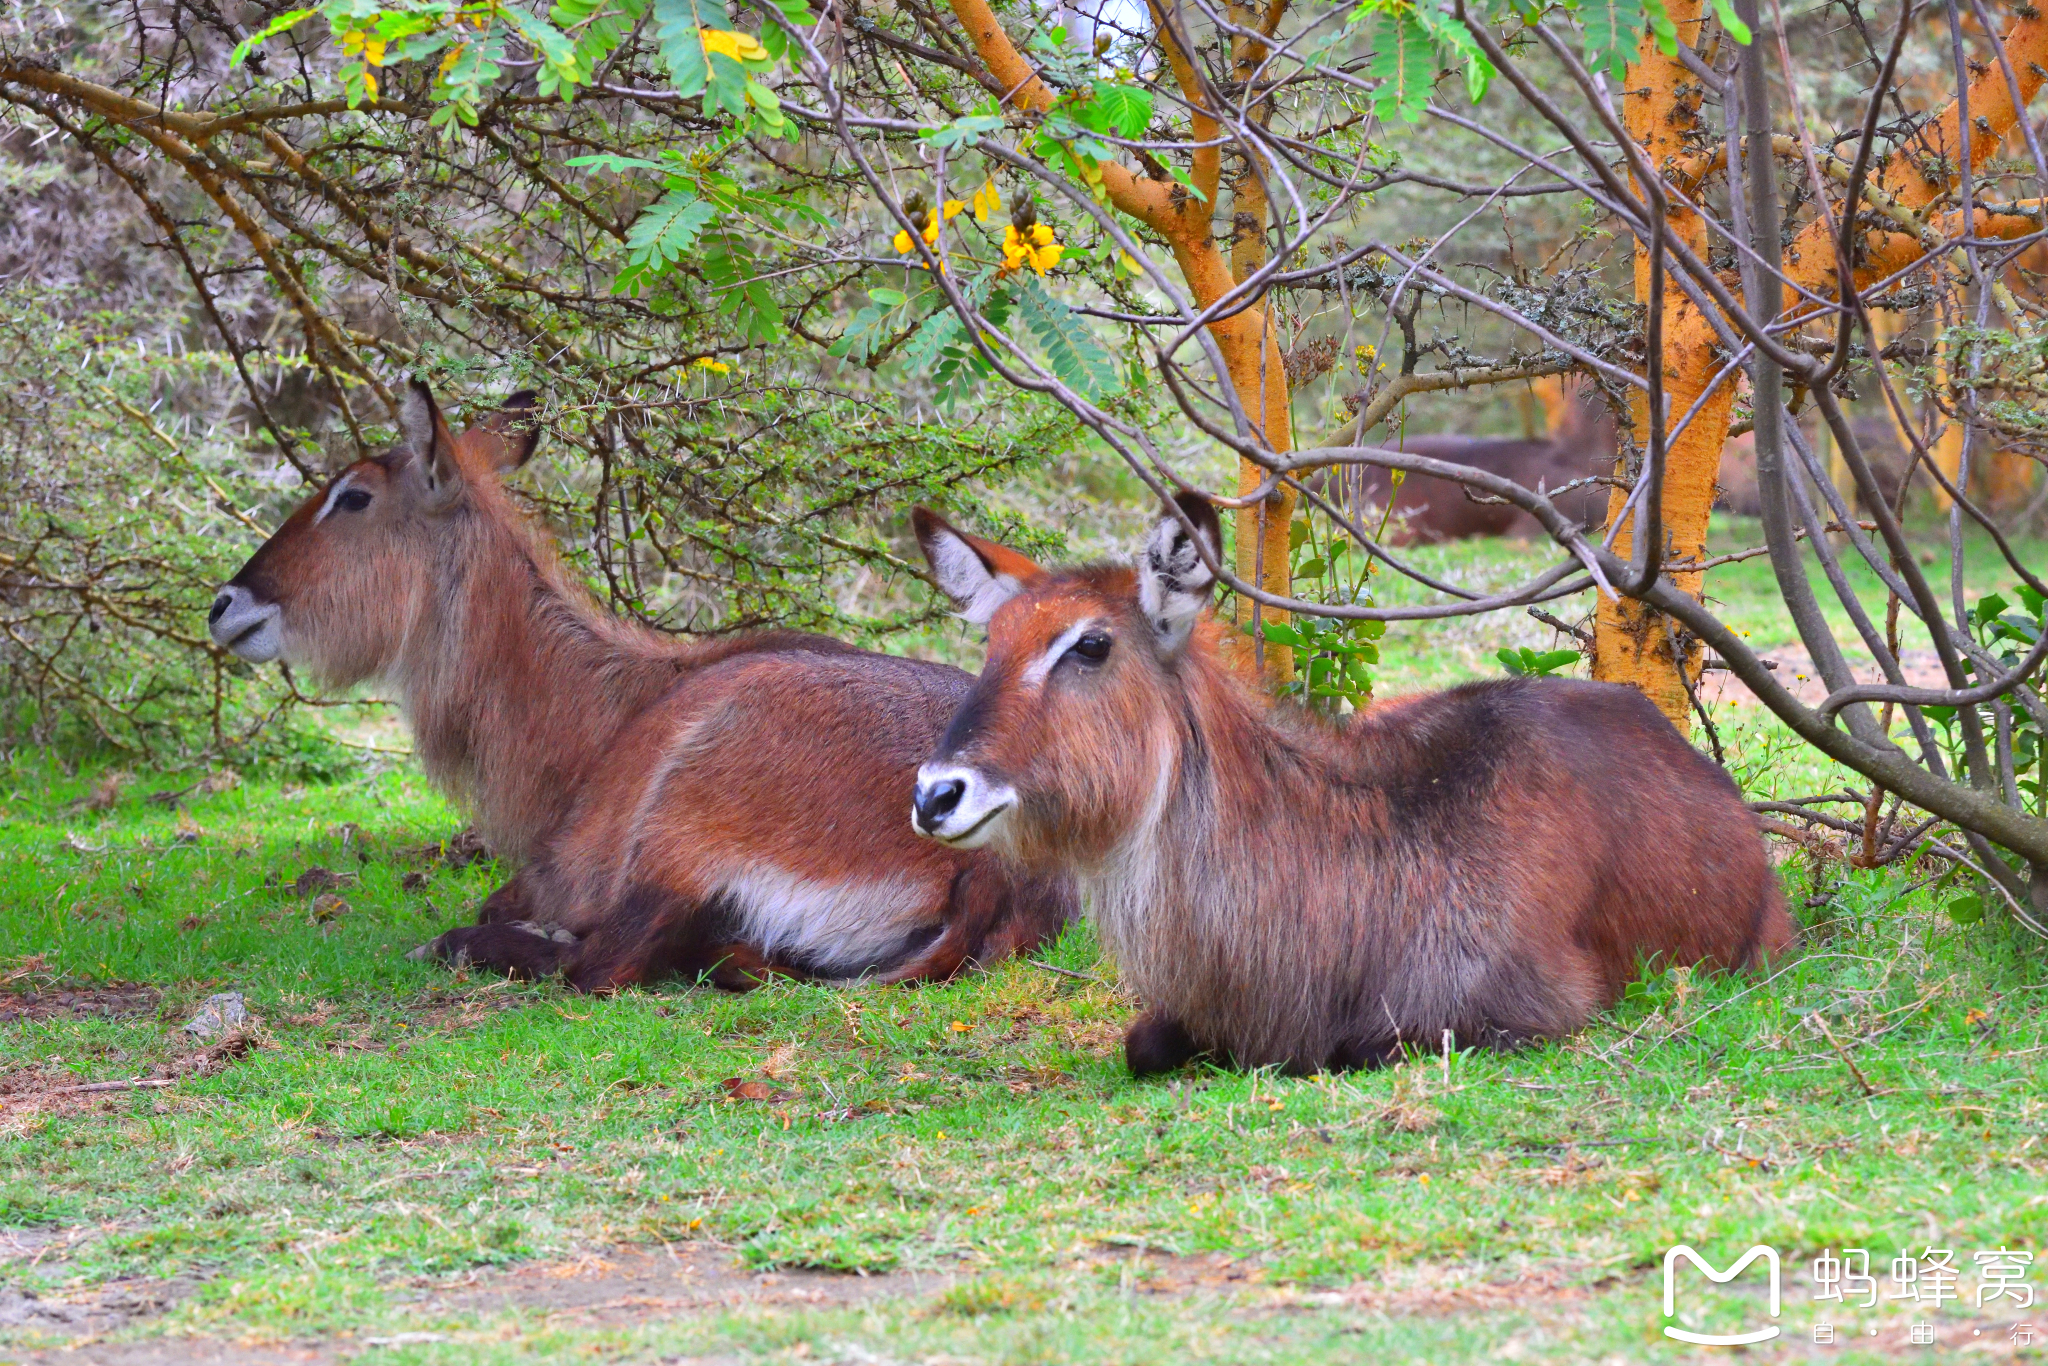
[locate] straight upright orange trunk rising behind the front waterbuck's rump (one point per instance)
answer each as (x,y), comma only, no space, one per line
(1633,644)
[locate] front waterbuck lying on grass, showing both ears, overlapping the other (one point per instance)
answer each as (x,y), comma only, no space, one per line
(1496,861)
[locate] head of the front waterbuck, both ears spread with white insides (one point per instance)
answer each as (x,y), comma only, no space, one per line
(1068,736)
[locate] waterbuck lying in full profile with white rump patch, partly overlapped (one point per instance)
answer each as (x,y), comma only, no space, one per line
(728,808)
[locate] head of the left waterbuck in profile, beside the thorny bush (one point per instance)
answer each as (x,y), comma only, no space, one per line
(337,587)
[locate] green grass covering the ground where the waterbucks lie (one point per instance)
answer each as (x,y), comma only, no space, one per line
(402,1129)
